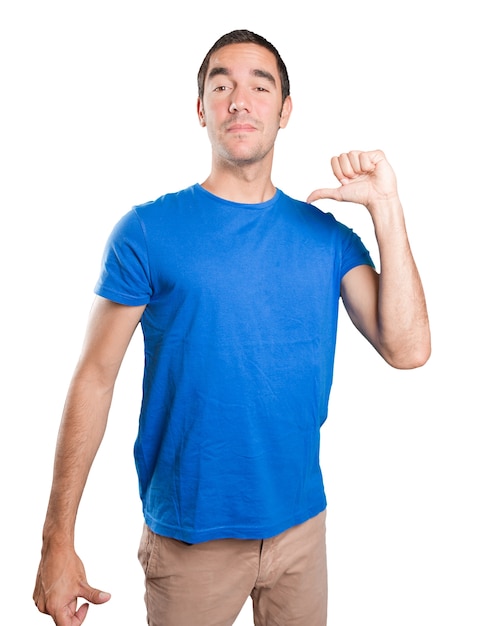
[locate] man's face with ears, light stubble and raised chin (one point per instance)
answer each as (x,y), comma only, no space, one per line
(242,106)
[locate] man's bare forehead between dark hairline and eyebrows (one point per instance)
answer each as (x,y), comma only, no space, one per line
(244,57)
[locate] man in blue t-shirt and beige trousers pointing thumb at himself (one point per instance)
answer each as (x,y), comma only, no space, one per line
(237,287)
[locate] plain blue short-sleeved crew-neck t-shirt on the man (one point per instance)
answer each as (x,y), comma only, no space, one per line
(240,331)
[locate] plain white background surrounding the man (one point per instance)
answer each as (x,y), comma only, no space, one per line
(98,112)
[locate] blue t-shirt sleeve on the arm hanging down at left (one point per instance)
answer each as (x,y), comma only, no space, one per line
(125,276)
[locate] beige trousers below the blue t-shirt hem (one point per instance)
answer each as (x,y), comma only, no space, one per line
(207,584)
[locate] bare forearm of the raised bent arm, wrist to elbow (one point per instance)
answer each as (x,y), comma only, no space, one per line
(402,313)
